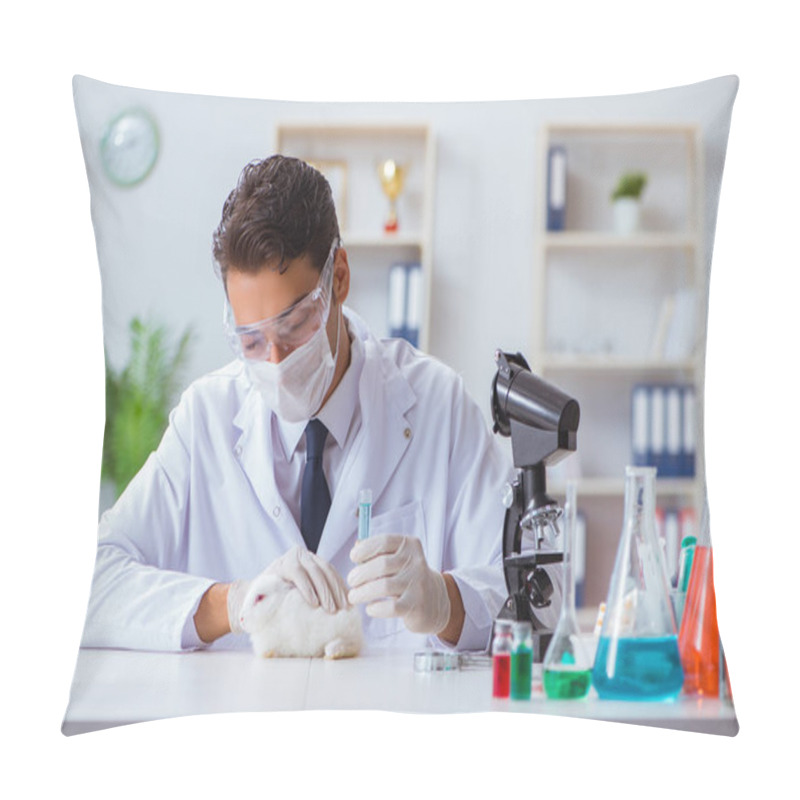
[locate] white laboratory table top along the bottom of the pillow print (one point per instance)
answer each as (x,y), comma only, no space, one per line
(119,687)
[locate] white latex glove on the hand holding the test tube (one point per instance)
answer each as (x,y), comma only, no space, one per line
(394,579)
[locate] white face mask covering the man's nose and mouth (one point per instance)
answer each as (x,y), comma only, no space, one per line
(295,387)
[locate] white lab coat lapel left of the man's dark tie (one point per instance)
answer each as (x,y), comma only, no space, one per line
(255,449)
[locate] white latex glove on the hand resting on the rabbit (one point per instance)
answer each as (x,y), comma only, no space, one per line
(318,581)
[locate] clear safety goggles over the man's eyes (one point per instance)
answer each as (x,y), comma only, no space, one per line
(290,329)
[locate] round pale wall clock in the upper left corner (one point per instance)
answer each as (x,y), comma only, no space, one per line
(129,147)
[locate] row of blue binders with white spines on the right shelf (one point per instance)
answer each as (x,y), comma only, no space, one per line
(663,428)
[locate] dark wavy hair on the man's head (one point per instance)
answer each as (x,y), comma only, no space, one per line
(281,209)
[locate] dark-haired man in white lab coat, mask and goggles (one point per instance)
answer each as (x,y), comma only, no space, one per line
(232,489)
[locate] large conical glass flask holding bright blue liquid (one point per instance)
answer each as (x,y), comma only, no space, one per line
(637,655)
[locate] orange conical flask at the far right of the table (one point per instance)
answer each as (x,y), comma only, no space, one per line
(698,640)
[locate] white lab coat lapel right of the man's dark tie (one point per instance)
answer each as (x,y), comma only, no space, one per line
(385,397)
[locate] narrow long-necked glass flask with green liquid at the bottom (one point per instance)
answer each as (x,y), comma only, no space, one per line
(566,666)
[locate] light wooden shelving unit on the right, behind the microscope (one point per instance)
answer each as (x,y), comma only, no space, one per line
(586,339)
